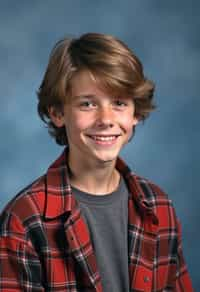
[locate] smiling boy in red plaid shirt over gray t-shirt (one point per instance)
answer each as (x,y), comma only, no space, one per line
(90,224)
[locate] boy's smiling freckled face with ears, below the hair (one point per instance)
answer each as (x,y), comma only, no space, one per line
(97,125)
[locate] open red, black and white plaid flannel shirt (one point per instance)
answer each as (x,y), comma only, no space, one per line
(45,244)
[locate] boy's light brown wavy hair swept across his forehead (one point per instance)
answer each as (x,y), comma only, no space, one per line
(113,65)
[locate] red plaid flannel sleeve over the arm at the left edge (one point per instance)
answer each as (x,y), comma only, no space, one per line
(20,267)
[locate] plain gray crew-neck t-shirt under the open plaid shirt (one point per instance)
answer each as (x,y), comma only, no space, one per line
(107,220)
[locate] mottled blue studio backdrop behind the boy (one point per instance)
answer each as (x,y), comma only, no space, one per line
(165,36)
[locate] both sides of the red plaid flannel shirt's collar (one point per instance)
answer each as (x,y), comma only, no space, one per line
(59,198)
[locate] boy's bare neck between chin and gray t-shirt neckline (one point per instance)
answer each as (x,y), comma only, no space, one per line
(103,178)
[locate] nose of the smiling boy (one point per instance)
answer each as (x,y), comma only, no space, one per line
(105,117)
